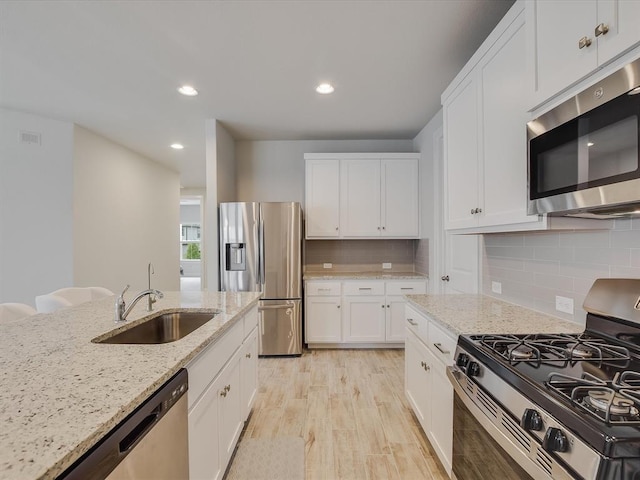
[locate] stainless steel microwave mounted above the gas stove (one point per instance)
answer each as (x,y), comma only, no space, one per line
(584,156)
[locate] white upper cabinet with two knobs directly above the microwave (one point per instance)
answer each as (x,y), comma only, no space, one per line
(572,38)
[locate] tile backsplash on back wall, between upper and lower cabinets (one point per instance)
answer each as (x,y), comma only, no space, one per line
(359,255)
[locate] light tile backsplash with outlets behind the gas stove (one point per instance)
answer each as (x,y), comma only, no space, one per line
(534,267)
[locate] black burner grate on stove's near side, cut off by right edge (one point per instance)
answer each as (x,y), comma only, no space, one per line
(614,401)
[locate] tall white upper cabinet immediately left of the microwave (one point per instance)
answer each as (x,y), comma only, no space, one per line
(485,135)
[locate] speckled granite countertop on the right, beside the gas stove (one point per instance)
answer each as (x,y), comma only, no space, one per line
(468,314)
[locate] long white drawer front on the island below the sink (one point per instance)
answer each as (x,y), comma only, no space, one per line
(205,367)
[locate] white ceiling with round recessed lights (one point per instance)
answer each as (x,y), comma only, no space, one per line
(114,66)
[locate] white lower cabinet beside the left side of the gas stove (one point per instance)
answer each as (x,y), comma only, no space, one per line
(428,351)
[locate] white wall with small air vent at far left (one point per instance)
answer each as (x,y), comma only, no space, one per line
(36,242)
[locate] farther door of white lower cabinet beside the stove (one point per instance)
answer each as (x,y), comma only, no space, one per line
(417,380)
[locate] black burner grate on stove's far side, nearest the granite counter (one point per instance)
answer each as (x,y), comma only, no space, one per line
(557,350)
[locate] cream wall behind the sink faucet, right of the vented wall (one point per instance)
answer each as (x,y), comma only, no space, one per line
(126,214)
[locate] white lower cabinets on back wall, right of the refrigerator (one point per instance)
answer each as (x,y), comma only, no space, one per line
(357,312)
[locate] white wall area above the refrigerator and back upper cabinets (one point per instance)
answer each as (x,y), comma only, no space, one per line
(273,171)
